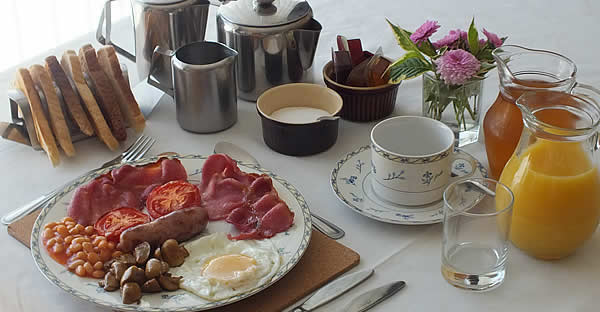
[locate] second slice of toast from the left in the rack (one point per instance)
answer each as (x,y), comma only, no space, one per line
(57,118)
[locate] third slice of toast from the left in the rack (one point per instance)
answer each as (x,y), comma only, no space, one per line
(71,99)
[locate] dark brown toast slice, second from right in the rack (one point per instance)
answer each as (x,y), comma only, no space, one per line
(106,95)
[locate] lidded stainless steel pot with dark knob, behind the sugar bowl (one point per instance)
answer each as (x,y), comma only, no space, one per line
(276,41)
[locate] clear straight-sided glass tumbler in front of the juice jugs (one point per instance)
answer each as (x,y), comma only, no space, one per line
(477,217)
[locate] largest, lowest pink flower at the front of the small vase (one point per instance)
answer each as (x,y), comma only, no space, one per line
(455,67)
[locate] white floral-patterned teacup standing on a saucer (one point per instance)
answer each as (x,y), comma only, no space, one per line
(411,159)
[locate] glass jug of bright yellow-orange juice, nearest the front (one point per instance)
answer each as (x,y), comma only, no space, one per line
(554,174)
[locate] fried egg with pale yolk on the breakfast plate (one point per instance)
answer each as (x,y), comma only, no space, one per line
(218,268)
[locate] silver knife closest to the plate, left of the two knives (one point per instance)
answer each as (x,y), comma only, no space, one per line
(333,290)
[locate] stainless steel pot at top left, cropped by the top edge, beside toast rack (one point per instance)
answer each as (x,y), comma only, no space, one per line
(170,24)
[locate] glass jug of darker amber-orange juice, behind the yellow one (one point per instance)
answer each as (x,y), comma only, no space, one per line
(522,70)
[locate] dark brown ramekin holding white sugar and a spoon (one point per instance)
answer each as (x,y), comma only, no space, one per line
(297,134)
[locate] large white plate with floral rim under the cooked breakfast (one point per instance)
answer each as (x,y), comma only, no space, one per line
(290,244)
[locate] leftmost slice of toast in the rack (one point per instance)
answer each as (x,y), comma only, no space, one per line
(42,127)
